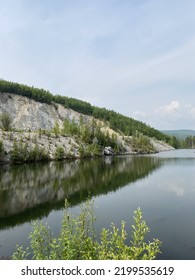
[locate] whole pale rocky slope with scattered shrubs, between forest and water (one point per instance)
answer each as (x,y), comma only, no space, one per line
(32,131)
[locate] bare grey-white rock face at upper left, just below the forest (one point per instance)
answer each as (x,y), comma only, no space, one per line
(29,114)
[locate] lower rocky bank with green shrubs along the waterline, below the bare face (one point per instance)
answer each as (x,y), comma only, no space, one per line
(72,140)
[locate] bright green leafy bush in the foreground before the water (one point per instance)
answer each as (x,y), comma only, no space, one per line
(78,241)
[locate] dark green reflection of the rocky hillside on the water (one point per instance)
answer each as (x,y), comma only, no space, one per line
(32,191)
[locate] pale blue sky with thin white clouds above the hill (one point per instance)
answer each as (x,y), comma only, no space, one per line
(136,57)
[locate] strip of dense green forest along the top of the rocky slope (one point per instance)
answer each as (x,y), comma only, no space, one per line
(117,122)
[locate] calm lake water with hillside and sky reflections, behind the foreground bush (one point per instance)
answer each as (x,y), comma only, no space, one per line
(163,185)
